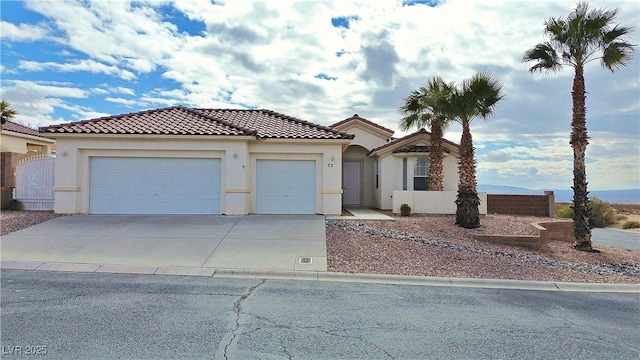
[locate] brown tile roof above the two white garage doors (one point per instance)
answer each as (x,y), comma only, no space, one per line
(179,120)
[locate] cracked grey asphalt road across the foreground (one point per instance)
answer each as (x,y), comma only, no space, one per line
(110,316)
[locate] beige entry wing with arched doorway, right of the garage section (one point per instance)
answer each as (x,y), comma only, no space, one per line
(384,172)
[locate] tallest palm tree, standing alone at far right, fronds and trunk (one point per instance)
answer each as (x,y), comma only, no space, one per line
(584,36)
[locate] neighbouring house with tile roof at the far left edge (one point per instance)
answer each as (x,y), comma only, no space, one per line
(24,140)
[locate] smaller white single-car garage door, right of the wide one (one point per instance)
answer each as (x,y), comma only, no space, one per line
(285,187)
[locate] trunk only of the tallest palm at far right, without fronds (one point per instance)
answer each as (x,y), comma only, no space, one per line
(579,141)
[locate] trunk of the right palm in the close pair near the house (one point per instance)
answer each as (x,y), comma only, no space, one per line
(467,214)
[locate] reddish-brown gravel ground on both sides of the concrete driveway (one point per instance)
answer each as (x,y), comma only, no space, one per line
(431,245)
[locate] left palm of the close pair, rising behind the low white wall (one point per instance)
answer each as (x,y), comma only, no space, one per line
(424,108)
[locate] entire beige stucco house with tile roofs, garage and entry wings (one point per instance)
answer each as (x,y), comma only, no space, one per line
(180,160)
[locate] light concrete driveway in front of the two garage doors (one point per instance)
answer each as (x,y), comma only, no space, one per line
(169,244)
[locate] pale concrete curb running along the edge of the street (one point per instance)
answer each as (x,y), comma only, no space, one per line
(334,277)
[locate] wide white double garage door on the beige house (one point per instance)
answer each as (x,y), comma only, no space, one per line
(154,186)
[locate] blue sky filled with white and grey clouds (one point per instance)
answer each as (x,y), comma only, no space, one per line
(323,61)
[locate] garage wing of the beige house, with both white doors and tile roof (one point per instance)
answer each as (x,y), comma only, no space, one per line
(181,160)
